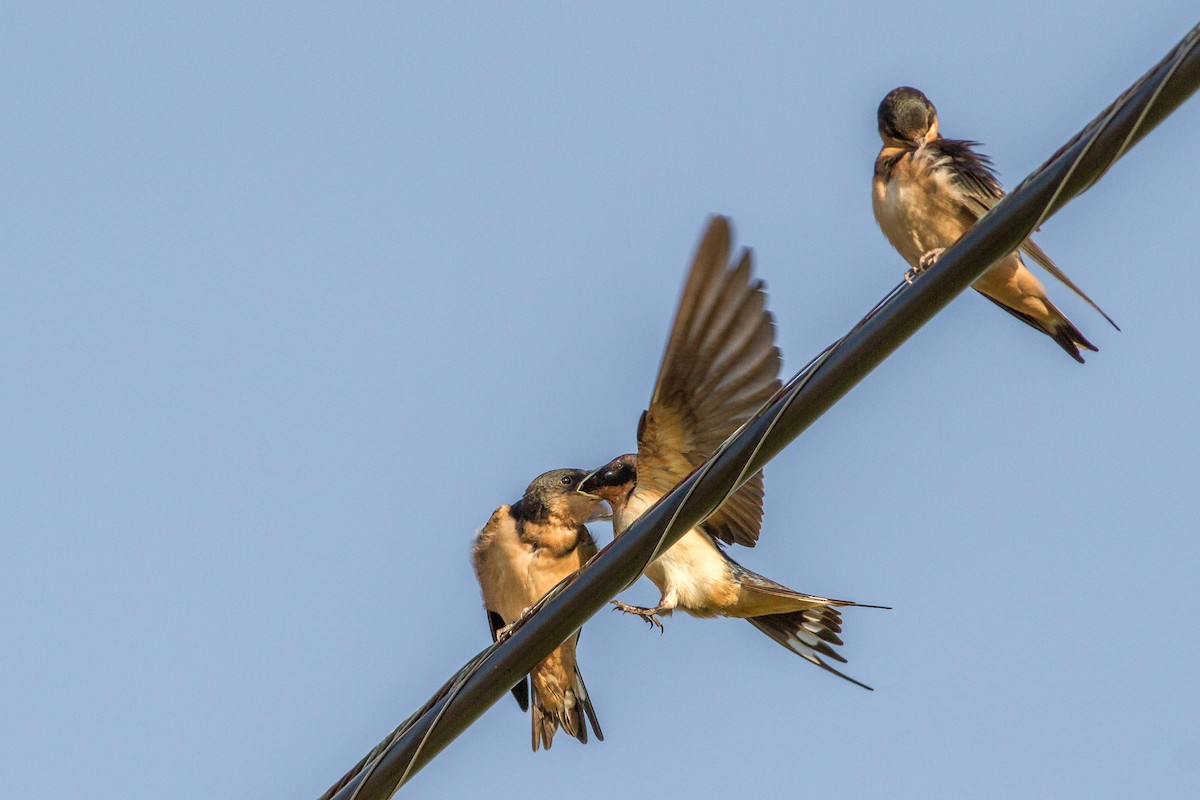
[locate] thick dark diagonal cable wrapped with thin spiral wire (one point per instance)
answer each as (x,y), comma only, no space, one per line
(487,678)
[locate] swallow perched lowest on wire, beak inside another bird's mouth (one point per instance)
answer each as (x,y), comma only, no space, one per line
(524,552)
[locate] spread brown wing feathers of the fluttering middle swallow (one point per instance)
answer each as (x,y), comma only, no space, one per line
(721,366)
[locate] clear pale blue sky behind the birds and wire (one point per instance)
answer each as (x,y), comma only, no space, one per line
(297,294)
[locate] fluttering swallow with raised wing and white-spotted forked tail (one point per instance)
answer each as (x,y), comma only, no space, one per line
(721,366)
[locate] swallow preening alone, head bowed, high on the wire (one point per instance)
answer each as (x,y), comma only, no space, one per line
(928,191)
